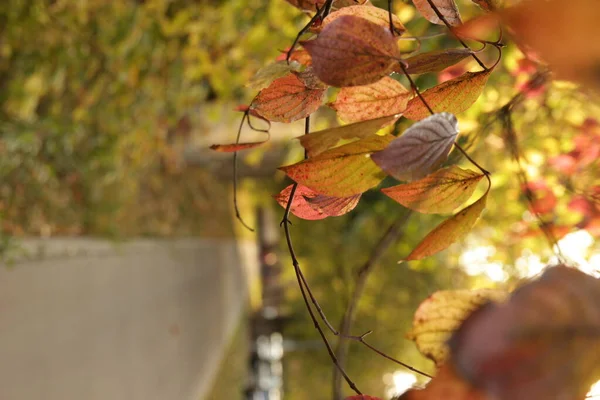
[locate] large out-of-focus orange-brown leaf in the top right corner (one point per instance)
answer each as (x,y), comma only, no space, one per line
(564,35)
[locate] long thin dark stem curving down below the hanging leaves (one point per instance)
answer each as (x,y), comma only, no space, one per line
(286,226)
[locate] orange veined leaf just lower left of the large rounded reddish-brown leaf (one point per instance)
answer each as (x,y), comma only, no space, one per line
(287,99)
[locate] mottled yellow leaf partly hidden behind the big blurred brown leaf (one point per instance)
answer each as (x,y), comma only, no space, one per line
(441,314)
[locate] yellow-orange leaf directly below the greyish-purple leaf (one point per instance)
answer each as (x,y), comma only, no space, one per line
(440,192)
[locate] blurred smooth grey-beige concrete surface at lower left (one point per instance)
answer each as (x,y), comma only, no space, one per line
(87,319)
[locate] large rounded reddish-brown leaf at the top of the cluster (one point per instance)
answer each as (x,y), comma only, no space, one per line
(352,51)
